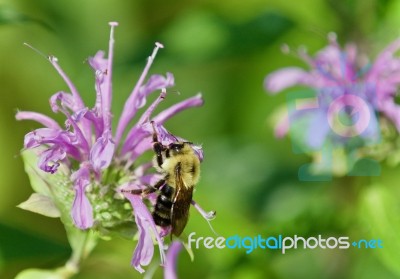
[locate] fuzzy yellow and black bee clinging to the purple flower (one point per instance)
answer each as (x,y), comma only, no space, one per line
(180,167)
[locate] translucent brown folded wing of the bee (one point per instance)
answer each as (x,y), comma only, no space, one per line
(181,203)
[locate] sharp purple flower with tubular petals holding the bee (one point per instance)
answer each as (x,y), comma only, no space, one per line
(103,162)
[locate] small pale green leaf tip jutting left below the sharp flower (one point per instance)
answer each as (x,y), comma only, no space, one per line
(41,204)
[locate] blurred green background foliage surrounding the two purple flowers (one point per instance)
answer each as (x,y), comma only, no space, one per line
(223,49)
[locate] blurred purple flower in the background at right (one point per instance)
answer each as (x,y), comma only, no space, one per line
(346,88)
